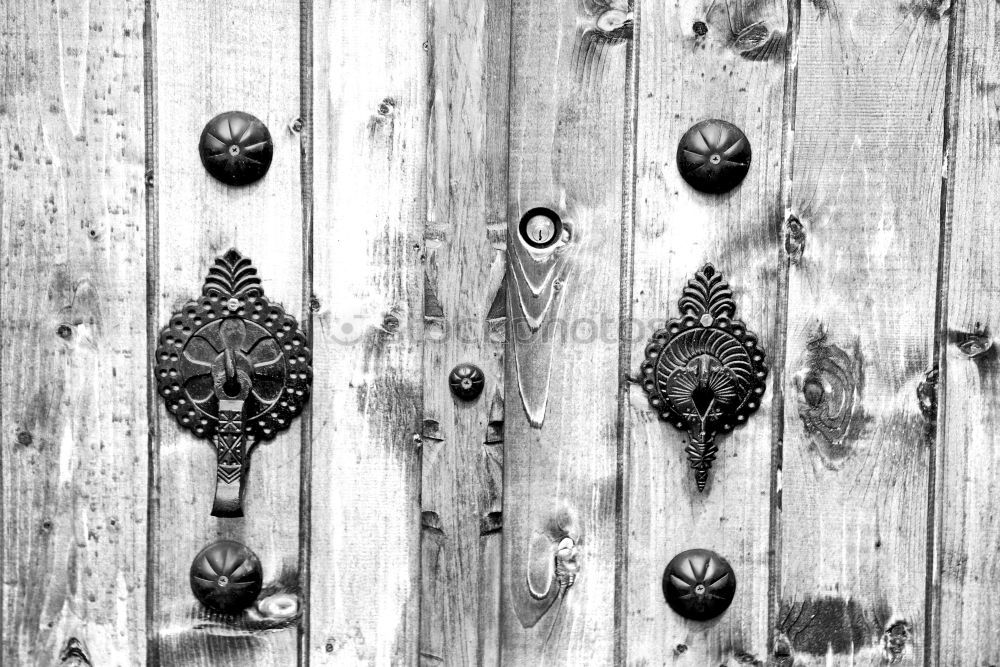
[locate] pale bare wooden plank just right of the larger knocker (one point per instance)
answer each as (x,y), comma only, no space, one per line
(372,86)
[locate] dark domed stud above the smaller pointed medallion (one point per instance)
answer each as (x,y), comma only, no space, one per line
(713,156)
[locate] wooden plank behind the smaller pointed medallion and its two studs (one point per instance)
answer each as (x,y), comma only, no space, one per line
(696,61)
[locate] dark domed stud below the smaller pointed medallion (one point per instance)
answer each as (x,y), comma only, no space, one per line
(699,584)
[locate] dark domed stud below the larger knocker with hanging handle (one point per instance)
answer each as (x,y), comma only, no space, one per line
(226,577)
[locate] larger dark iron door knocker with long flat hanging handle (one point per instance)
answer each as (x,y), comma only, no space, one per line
(234,367)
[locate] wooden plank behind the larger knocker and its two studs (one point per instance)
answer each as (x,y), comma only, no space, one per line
(210,58)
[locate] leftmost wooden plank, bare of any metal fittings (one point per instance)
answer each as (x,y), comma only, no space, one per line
(74,350)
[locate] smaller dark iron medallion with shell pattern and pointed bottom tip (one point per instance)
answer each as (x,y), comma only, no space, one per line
(704,372)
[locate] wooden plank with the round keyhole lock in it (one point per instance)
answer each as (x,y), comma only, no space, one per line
(567,127)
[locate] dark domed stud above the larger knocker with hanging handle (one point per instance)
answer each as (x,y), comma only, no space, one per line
(236,148)
